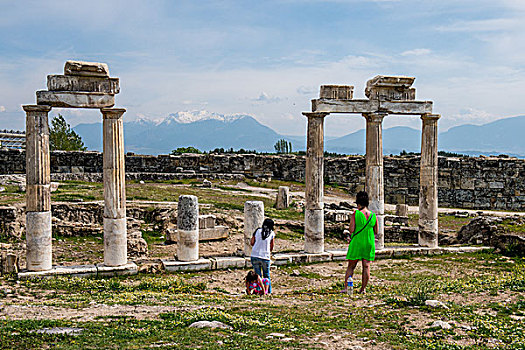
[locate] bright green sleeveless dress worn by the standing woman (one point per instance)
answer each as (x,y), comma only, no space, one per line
(363,244)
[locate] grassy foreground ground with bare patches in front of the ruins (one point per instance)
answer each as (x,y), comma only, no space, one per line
(482,295)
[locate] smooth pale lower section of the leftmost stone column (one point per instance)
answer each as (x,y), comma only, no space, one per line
(38,237)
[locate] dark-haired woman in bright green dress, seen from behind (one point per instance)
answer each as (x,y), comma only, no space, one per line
(363,227)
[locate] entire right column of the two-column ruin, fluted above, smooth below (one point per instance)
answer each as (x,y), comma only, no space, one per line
(115,236)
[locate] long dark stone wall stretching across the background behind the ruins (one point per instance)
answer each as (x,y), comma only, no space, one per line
(467,182)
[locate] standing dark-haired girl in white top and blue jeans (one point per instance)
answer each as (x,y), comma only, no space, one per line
(262,243)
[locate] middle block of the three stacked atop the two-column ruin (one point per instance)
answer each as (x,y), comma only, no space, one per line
(80,83)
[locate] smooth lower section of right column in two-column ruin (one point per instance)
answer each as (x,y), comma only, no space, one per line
(115,242)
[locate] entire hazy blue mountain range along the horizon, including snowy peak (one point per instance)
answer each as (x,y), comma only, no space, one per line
(207,131)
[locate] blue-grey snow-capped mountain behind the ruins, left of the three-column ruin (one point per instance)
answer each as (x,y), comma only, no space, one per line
(201,129)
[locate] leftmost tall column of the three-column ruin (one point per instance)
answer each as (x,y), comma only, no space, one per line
(314,181)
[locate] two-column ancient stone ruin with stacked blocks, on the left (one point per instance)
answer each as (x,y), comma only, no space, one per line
(83,85)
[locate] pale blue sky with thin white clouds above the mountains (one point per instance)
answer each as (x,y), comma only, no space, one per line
(268,58)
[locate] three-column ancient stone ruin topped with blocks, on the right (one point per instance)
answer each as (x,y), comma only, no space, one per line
(386,95)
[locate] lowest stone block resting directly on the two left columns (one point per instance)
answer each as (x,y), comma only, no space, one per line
(70,99)
